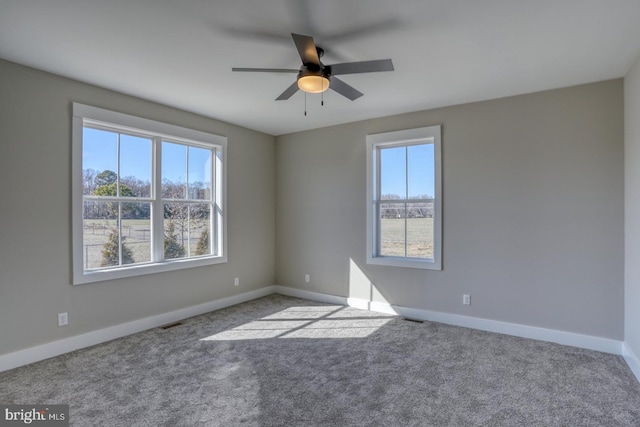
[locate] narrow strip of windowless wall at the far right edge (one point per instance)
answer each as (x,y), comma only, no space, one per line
(632,207)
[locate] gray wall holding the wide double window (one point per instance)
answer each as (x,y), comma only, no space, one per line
(35,217)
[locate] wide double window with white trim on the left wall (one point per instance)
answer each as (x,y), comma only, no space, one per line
(147,196)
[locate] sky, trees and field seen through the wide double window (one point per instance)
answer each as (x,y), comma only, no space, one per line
(118,199)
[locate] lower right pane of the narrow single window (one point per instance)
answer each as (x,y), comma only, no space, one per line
(420,230)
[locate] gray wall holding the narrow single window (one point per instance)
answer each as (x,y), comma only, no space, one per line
(533,211)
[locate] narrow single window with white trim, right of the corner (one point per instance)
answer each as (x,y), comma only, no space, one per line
(404,215)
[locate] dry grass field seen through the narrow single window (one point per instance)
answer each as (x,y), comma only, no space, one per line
(419,237)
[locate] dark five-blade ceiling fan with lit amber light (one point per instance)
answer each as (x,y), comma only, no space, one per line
(316,77)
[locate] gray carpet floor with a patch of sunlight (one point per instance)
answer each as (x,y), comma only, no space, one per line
(281,361)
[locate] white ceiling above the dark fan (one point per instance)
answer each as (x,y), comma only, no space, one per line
(445,52)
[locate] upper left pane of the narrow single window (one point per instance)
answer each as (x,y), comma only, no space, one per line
(393,173)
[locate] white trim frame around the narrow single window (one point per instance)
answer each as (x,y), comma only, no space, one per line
(403,137)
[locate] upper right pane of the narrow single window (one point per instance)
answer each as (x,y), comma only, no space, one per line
(421,171)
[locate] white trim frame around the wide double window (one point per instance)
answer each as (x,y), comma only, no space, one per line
(172,133)
